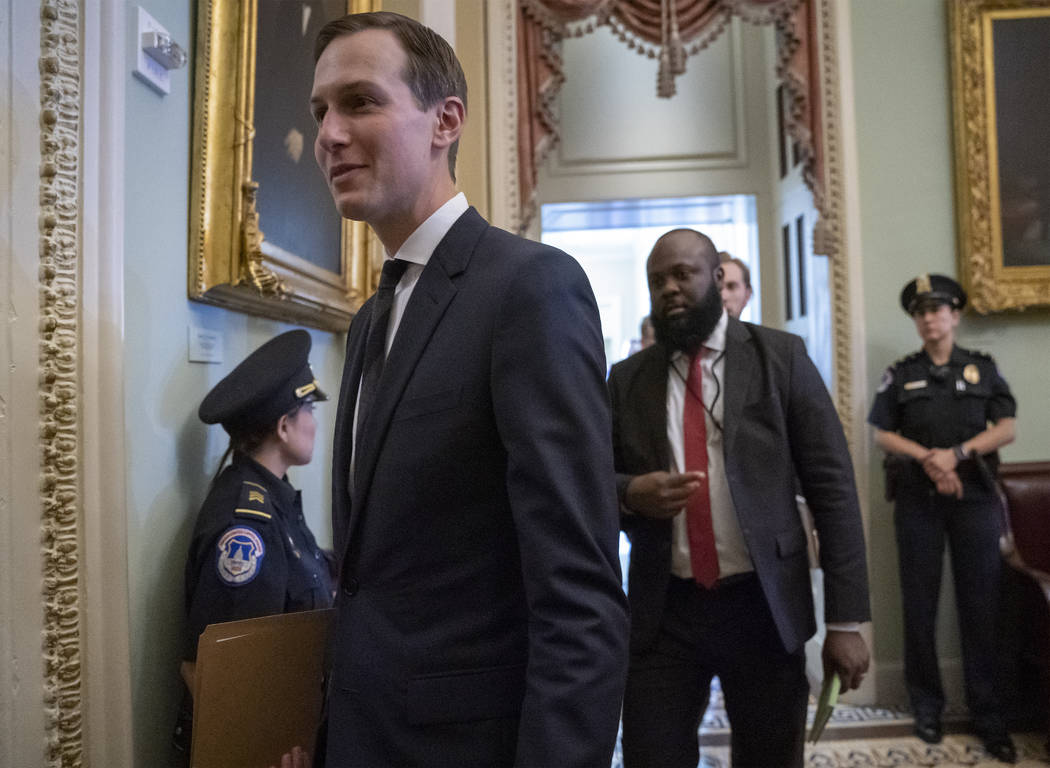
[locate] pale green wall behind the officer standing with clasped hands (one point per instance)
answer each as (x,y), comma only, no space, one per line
(902,90)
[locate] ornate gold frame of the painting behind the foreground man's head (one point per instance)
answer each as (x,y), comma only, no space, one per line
(232,264)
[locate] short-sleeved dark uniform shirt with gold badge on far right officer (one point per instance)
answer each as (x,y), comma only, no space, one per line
(942,406)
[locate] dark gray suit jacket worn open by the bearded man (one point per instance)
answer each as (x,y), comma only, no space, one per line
(780,422)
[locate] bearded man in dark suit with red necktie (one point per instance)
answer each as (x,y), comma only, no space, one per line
(710,428)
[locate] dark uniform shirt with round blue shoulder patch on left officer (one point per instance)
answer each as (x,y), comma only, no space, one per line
(253,553)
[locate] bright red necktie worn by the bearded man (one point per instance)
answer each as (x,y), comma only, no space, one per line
(702,534)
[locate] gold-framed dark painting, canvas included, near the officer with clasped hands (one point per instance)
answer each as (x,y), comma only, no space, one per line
(1002,186)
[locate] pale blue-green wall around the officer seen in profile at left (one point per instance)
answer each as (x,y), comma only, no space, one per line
(172,455)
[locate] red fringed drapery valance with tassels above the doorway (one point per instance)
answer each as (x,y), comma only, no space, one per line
(669,31)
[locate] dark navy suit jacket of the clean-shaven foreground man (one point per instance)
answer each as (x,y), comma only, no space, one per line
(480,618)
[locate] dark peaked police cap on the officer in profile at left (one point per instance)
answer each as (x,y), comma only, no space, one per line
(271,382)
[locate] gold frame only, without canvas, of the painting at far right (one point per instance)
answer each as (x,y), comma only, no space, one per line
(992,286)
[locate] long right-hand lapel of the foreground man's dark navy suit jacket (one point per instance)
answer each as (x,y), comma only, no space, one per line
(430,300)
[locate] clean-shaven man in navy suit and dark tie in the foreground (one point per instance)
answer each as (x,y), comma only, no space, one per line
(480,615)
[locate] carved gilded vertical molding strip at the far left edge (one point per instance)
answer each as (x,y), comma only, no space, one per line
(60,118)
